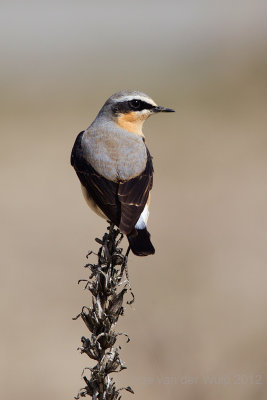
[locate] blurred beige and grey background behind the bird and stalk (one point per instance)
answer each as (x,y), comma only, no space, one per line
(198,326)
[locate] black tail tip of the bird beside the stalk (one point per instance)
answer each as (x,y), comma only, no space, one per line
(140,243)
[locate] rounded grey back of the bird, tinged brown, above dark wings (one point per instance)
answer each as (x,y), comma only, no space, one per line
(115,154)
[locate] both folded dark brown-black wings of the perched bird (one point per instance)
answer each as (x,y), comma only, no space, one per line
(122,202)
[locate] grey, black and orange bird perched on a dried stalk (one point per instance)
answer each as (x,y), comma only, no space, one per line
(115,167)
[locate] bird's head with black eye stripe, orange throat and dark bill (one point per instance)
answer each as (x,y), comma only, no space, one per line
(129,109)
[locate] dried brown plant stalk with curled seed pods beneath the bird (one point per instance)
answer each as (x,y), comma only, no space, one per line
(108,284)
